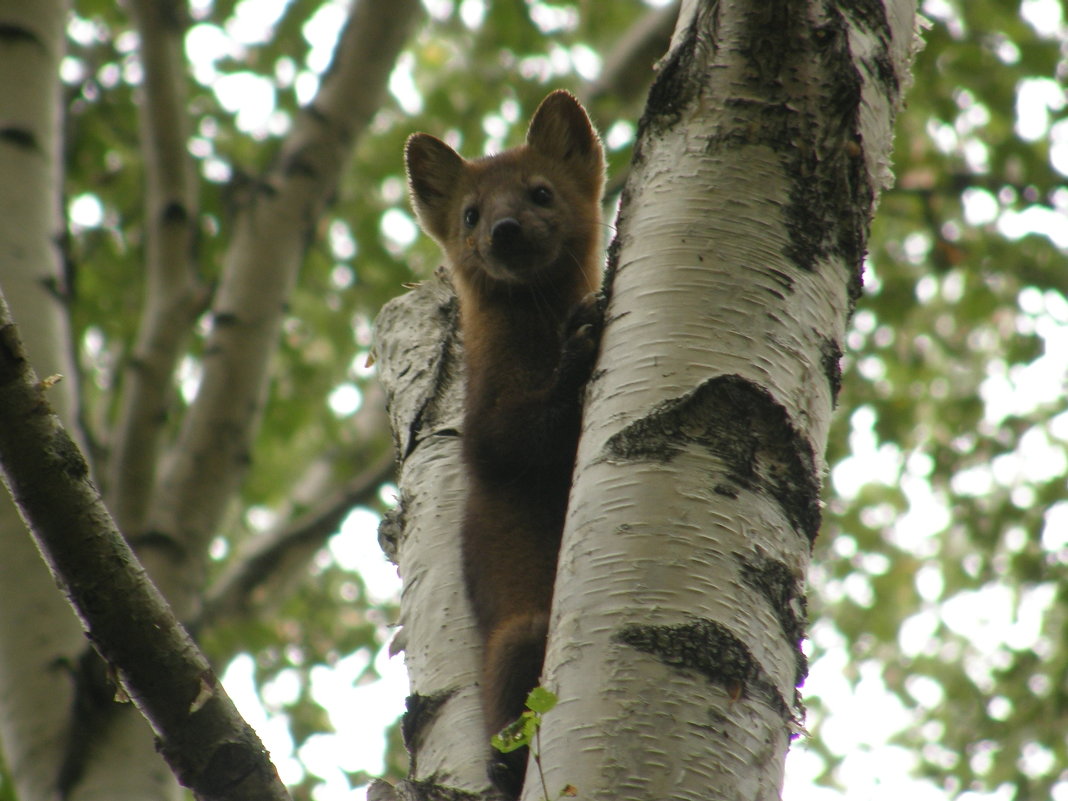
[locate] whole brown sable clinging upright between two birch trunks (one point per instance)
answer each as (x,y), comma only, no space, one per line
(522,235)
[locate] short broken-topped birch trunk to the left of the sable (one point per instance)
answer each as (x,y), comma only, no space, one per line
(420,366)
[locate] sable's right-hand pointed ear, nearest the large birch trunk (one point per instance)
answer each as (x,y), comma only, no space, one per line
(562,131)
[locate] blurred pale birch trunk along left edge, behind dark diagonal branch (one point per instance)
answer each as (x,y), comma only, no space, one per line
(38,633)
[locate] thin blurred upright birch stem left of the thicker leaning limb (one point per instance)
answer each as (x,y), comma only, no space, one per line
(175,296)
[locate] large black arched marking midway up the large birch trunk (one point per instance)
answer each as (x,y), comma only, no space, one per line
(742,425)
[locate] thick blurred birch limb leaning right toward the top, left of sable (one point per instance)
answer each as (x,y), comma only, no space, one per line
(271,238)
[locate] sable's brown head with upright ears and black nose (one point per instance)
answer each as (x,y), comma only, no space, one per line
(529,216)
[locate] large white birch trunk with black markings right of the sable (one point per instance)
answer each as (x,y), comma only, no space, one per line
(676,647)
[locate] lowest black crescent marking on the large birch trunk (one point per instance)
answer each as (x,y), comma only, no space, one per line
(712,651)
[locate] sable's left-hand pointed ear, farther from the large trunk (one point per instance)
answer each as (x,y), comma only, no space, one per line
(434,172)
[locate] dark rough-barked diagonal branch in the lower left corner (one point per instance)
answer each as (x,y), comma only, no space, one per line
(209,746)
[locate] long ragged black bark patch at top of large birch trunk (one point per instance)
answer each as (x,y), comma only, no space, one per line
(812,123)
